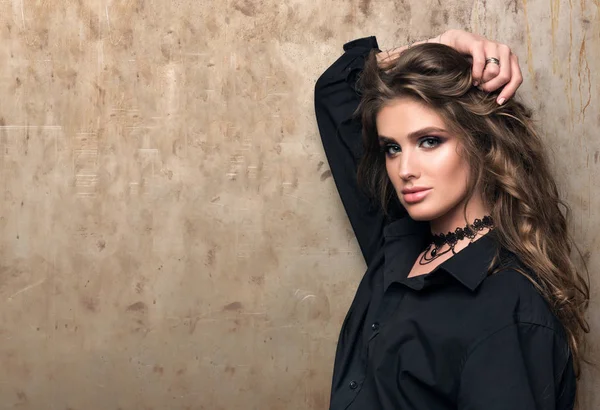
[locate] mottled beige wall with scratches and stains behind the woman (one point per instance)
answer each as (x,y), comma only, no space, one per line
(170,233)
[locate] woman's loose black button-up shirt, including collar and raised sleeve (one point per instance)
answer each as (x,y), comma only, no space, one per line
(455,338)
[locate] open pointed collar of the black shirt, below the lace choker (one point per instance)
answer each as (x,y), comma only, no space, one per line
(405,238)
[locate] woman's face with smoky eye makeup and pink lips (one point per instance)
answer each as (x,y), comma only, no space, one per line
(422,160)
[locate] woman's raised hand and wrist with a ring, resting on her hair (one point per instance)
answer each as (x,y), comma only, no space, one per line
(488,77)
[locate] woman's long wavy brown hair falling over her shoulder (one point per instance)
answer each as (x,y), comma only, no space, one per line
(508,163)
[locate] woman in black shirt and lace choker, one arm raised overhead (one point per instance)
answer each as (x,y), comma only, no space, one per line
(470,300)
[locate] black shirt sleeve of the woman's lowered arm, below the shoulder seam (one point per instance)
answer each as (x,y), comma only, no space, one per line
(522,366)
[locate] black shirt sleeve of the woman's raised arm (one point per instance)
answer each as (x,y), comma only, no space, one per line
(336,99)
